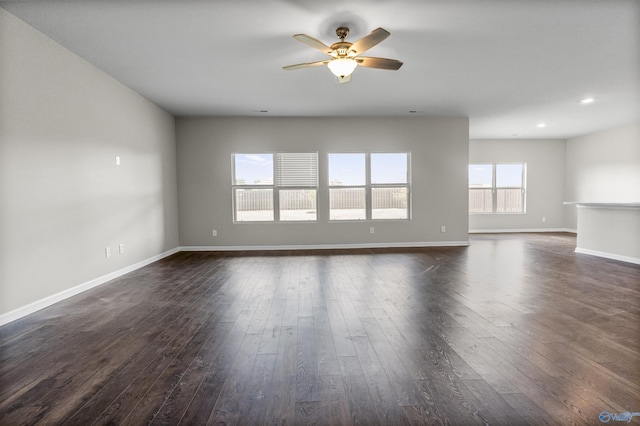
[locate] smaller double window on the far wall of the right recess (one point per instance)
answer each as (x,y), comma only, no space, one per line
(497,188)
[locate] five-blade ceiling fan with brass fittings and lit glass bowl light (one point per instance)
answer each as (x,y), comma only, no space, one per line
(345,56)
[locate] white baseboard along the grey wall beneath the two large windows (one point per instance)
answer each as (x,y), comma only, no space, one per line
(327,246)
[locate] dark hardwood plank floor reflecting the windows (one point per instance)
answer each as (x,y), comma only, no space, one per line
(515,329)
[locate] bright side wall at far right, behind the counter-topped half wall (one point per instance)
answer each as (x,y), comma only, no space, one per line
(603,167)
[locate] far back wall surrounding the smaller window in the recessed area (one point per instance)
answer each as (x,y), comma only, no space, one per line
(545,159)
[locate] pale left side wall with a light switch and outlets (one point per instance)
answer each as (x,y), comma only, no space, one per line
(62,198)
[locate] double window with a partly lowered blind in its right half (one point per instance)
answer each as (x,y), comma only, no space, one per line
(286,180)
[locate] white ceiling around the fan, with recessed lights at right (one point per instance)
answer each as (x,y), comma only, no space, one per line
(506,64)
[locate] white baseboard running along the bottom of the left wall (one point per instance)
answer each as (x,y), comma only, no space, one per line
(65,294)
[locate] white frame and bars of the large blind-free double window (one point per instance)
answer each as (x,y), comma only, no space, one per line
(369,187)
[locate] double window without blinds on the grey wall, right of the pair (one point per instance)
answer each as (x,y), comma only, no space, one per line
(368,186)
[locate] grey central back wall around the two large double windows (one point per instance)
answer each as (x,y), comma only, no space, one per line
(439,150)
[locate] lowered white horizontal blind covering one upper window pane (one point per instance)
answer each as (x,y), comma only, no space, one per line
(297,169)
